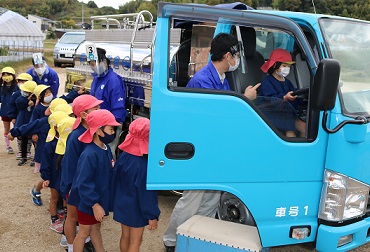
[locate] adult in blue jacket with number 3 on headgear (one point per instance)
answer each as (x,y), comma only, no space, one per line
(109,87)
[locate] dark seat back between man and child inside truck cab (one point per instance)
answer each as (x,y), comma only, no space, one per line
(253,59)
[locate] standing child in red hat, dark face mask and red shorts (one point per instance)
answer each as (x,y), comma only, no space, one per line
(92,178)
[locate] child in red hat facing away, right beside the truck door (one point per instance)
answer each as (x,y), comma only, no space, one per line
(133,205)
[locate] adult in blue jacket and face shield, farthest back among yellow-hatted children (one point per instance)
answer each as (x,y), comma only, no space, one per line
(43,74)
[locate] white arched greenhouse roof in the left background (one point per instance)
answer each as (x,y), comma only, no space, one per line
(15,25)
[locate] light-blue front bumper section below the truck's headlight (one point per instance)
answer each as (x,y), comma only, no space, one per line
(355,234)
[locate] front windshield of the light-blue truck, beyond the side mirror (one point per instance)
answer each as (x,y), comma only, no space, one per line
(349,42)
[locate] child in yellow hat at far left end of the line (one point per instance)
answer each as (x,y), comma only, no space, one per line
(8,87)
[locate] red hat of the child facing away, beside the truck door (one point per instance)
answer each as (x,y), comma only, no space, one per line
(137,140)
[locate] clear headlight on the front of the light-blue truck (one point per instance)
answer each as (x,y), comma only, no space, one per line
(342,198)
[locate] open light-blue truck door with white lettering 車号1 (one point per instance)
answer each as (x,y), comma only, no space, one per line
(220,140)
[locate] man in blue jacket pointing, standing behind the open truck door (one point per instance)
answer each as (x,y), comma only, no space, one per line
(224,58)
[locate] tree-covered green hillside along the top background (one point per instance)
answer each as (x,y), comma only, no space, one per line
(69,12)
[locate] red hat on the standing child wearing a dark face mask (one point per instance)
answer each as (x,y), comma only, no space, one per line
(96,119)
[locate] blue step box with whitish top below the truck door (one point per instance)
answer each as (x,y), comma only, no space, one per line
(201,233)
